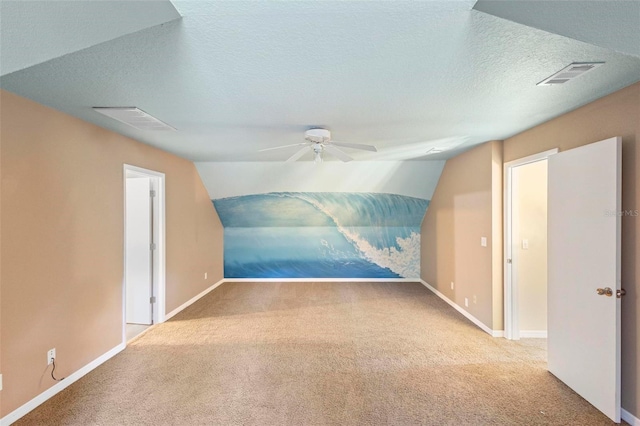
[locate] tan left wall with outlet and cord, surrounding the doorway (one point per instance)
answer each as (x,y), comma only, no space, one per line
(62,241)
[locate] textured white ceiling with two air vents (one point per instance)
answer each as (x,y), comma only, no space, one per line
(236,77)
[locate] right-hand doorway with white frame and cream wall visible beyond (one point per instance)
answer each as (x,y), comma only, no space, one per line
(525,201)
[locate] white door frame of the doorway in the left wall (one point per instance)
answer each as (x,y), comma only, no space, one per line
(159,231)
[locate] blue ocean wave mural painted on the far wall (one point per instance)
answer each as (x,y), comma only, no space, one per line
(321,235)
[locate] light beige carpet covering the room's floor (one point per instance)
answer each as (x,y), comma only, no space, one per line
(320,354)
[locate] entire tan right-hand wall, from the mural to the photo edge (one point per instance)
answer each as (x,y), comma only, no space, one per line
(461,210)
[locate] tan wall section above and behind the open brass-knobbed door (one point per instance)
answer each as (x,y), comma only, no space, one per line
(615,115)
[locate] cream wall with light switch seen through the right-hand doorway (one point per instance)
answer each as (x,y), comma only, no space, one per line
(530,223)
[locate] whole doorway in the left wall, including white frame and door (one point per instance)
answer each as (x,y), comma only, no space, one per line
(144,250)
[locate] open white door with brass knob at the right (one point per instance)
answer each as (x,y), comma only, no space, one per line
(584,255)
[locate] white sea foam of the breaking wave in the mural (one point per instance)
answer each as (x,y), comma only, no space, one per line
(404,261)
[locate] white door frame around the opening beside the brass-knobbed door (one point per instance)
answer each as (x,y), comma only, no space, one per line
(511,307)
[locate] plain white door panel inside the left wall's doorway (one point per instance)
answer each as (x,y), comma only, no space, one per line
(138,260)
